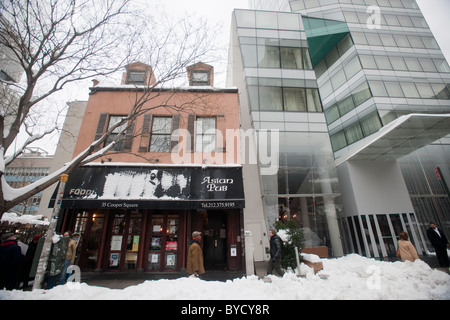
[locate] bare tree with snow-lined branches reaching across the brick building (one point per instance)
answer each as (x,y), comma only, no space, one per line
(57,42)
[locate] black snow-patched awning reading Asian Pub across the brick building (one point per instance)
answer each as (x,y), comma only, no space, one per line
(154,187)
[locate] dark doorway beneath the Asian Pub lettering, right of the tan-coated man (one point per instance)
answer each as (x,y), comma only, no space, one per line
(215,241)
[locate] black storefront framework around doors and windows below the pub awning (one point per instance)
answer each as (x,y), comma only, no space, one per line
(188,221)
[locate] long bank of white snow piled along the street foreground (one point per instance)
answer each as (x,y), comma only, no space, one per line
(352,277)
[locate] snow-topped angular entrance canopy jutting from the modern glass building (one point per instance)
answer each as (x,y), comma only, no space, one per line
(402,136)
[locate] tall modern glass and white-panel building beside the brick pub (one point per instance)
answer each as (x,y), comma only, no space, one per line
(359,93)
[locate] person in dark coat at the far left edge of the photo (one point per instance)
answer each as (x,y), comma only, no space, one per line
(11,259)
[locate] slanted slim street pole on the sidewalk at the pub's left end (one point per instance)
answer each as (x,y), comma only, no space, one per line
(45,254)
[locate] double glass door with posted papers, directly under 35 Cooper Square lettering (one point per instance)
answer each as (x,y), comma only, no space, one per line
(124,240)
